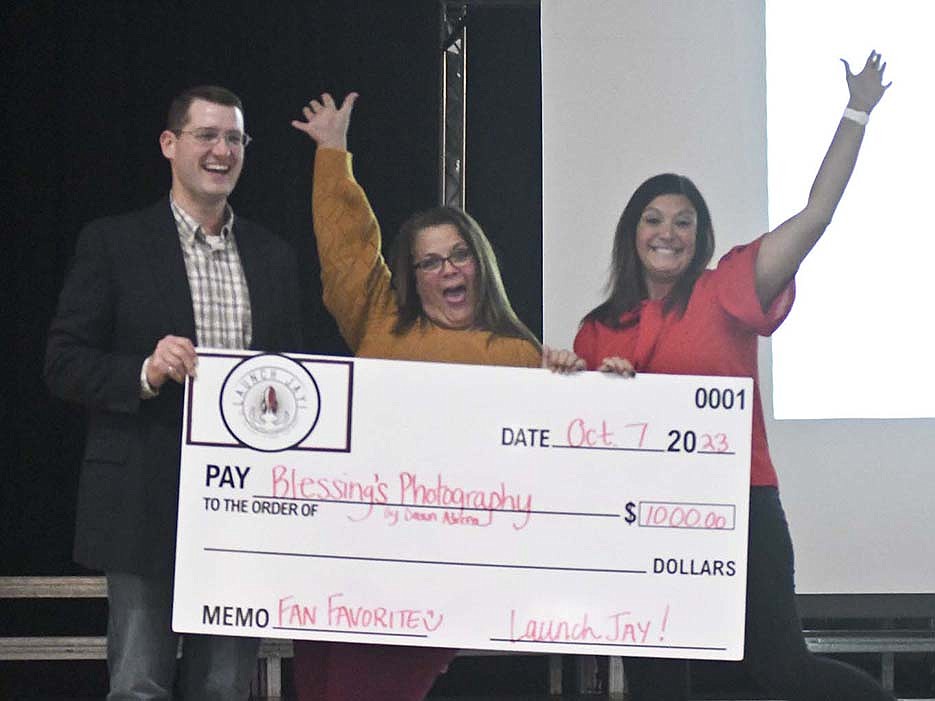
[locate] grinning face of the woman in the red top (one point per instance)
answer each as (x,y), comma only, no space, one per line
(665,241)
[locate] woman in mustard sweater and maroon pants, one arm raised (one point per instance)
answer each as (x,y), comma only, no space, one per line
(446,304)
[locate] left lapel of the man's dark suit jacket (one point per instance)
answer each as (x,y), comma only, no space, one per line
(166,264)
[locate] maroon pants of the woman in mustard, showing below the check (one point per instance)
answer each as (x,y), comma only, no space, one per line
(325,671)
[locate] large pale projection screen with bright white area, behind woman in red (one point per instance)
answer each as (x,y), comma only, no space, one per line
(632,88)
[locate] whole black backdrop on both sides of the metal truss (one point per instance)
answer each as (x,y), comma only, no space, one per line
(86,86)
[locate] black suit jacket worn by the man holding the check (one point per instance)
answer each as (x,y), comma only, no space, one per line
(126,289)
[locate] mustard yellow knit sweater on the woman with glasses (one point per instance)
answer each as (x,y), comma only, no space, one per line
(357,288)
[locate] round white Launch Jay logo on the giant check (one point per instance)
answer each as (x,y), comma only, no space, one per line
(270,402)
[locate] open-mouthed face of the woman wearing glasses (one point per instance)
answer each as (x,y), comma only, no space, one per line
(449,294)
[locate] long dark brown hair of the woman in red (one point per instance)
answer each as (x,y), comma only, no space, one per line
(627,284)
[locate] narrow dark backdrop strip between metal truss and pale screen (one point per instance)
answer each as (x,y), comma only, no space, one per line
(504,146)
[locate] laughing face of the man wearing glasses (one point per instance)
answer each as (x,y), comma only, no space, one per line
(203,176)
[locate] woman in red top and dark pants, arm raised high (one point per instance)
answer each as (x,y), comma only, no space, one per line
(667,313)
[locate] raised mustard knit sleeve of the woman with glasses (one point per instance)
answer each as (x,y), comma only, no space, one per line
(355,278)
